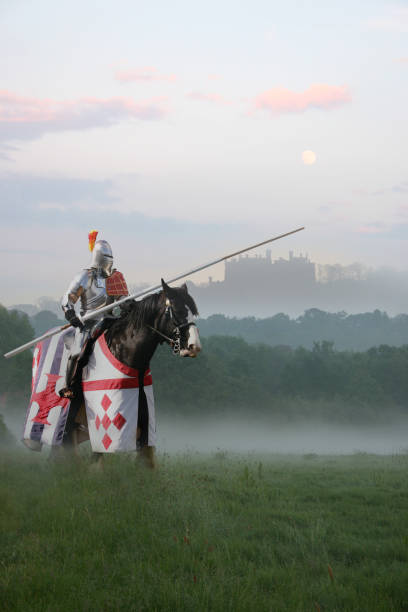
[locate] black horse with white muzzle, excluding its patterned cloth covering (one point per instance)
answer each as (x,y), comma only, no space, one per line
(166,316)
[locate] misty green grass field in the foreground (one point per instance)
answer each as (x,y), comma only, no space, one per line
(220,532)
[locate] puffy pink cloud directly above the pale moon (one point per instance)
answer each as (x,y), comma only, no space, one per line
(281,100)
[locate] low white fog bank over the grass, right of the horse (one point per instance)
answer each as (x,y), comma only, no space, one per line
(294,438)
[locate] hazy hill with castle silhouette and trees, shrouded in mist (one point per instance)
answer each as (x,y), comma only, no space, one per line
(259,286)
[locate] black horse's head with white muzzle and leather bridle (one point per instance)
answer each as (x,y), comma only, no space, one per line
(178,320)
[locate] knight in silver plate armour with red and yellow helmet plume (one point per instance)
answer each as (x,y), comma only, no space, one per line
(95,287)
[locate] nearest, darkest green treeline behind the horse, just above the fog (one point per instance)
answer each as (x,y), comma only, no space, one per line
(231,374)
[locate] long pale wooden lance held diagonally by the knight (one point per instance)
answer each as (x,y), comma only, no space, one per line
(109,307)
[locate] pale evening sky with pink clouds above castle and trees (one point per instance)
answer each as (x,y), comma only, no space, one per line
(178,130)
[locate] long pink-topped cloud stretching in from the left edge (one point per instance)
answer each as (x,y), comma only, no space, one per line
(28,118)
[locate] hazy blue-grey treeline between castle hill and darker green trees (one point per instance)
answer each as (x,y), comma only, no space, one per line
(348,332)
